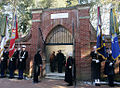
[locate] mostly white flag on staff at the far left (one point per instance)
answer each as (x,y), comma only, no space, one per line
(5,38)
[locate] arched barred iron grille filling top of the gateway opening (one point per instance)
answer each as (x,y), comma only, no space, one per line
(59,36)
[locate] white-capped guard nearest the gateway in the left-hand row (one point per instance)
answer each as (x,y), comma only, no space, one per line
(22,61)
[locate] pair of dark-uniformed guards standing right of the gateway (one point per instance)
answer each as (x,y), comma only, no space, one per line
(96,67)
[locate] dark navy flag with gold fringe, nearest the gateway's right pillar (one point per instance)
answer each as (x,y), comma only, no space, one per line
(101,49)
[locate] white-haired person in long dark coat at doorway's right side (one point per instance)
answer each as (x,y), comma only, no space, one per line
(68,70)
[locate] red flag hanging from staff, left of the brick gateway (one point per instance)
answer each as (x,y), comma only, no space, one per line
(14,36)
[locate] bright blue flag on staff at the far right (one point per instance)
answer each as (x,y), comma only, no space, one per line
(113,32)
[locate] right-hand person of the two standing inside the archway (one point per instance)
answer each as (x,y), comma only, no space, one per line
(60,61)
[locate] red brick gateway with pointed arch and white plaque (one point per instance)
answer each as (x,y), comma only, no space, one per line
(52,29)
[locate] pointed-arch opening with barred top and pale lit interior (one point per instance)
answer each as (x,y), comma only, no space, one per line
(58,39)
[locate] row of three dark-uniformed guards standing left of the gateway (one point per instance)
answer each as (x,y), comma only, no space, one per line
(17,61)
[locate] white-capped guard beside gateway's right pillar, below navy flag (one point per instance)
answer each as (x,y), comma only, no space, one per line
(95,66)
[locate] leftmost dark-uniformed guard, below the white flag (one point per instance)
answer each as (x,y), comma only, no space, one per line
(4,61)
